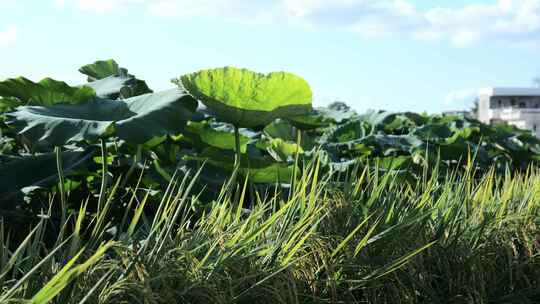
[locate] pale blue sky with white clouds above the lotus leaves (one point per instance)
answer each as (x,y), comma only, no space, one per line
(374,54)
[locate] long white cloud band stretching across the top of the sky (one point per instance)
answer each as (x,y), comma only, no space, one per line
(510,21)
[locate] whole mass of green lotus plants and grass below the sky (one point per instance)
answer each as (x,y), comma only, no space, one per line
(230,187)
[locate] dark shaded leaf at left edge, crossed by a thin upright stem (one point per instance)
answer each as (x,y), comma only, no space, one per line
(39,171)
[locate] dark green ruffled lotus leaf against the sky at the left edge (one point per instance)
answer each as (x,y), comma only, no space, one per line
(47,92)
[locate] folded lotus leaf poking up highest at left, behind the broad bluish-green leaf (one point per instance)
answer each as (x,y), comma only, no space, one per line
(109,80)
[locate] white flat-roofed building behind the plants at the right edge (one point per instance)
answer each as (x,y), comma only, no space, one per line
(516,106)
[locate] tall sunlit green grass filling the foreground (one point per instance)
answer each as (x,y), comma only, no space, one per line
(360,238)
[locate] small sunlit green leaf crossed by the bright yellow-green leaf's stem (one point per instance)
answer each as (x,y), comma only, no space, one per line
(215,137)
